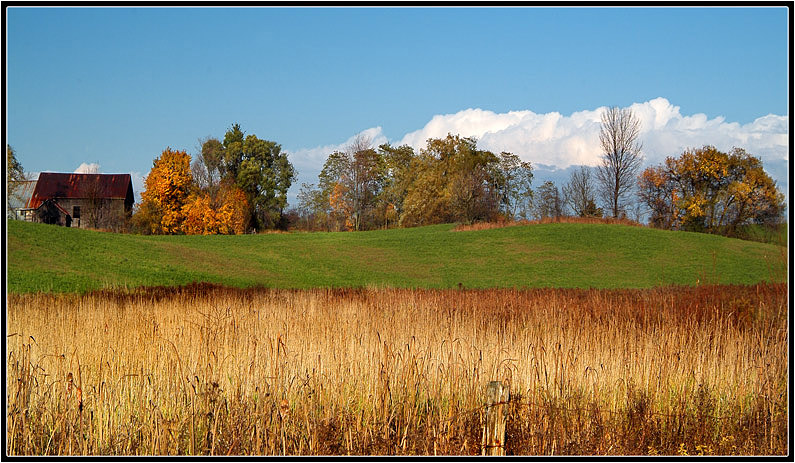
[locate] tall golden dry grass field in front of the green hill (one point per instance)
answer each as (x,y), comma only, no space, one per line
(210,370)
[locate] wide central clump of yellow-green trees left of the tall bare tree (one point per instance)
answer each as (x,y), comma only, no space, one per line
(450,180)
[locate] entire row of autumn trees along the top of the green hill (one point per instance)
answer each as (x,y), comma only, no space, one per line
(239,184)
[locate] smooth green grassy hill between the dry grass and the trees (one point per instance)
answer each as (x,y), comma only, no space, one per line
(49,258)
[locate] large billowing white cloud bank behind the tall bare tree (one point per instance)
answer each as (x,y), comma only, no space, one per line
(562,141)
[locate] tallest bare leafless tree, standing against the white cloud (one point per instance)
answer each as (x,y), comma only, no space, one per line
(621,157)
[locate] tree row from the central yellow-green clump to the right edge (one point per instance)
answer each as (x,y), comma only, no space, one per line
(451,180)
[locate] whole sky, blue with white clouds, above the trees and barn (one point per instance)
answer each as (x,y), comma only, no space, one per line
(116,86)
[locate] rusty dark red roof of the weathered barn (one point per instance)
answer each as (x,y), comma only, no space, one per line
(57,185)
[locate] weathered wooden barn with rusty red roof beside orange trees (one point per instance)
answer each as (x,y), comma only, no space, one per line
(102,201)
